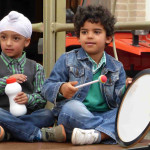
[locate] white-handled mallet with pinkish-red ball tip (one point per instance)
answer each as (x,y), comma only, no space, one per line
(101,79)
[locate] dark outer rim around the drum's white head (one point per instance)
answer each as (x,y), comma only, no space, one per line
(142,135)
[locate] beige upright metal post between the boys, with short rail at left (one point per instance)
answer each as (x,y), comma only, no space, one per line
(53,12)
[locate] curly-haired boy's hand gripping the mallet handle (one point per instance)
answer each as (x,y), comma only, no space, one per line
(68,89)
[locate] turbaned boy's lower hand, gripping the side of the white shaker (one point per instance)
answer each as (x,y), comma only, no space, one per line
(21,98)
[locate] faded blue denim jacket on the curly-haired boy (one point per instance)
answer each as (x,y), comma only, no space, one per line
(75,66)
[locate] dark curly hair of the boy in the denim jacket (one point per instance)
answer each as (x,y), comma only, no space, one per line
(94,14)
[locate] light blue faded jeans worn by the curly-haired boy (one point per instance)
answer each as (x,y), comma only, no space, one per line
(74,114)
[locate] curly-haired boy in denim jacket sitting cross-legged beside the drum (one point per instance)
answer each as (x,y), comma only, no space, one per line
(88,114)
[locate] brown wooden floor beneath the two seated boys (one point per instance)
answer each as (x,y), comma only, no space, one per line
(65,146)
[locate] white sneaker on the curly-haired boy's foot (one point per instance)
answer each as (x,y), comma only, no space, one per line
(83,137)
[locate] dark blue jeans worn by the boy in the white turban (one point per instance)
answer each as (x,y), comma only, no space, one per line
(26,127)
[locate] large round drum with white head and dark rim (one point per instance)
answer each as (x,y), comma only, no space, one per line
(133,116)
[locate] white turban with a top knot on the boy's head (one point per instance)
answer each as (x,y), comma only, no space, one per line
(16,22)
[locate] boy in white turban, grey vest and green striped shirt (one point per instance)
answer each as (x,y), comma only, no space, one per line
(15,35)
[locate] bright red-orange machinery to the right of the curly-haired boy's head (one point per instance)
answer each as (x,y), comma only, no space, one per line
(134,58)
